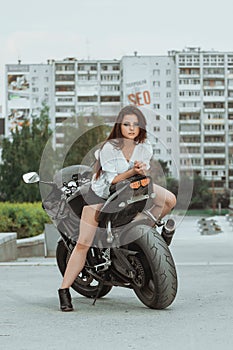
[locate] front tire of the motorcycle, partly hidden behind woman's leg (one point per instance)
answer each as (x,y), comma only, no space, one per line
(81,287)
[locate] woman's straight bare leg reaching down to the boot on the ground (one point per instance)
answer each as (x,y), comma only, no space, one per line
(77,260)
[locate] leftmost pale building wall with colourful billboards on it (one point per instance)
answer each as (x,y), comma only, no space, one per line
(27,86)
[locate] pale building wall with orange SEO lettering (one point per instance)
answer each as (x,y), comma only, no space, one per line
(149,82)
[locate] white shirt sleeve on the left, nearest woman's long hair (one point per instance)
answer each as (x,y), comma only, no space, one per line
(108,162)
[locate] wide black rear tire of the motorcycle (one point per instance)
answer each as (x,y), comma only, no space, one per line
(157,268)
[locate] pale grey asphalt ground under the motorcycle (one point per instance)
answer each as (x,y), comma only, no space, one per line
(201,317)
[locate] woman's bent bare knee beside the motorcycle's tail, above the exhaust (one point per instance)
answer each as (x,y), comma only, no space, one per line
(164,201)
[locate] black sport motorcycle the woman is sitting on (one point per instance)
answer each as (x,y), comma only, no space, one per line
(127,251)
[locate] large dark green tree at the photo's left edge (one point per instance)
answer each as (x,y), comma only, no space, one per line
(21,154)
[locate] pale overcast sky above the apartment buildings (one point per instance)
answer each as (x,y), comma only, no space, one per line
(106,29)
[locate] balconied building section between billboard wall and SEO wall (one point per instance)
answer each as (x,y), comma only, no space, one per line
(85,88)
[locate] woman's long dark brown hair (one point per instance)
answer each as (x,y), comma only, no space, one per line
(116,137)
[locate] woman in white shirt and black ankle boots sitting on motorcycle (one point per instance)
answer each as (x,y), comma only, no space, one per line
(126,152)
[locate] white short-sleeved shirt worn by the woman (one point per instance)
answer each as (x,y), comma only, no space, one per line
(113,163)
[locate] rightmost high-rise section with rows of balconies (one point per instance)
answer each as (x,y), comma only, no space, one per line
(205,112)
